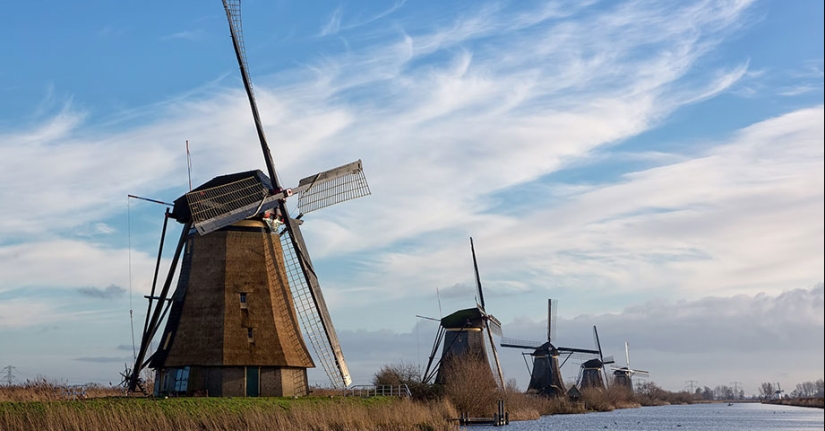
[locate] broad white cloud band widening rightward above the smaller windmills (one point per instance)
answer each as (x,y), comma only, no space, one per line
(745,215)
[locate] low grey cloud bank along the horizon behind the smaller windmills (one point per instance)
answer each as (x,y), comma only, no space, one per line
(770,338)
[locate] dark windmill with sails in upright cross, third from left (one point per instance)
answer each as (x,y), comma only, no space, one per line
(545,376)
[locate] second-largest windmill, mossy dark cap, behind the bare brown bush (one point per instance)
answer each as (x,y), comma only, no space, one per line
(466,334)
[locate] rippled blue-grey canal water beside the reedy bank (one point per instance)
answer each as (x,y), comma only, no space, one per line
(695,417)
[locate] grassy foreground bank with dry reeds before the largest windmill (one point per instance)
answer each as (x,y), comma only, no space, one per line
(304,414)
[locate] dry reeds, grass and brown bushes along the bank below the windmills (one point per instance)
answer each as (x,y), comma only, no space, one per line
(48,405)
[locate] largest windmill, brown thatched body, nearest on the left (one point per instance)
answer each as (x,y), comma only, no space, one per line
(247,293)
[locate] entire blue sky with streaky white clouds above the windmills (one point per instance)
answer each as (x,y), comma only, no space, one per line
(655,166)
